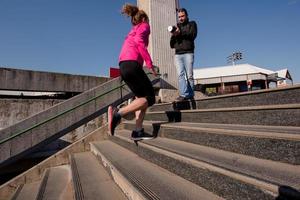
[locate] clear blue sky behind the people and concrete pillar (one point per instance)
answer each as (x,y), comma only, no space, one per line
(85,36)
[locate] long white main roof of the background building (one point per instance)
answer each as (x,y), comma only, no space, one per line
(232,70)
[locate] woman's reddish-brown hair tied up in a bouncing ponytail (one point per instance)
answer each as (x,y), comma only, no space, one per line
(137,15)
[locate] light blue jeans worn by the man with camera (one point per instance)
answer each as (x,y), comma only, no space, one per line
(184,65)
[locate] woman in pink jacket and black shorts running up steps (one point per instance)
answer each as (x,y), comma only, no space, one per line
(133,54)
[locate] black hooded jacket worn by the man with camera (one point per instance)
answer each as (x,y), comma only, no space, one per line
(184,42)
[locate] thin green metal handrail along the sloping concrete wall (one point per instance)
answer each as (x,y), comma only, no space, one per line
(60,114)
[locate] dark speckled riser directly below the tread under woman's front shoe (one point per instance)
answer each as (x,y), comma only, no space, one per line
(219,184)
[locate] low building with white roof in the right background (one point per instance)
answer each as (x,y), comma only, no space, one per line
(237,78)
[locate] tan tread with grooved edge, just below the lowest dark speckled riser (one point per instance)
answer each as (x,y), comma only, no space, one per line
(144,180)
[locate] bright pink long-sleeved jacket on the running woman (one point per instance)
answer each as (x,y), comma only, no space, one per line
(135,45)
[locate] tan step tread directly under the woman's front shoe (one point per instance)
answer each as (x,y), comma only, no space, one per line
(265,170)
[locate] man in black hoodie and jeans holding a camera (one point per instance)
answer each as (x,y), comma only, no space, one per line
(183,41)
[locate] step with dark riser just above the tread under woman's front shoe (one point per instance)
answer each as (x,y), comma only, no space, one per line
(266,142)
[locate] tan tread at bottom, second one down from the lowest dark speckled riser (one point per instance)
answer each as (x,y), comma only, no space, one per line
(91,180)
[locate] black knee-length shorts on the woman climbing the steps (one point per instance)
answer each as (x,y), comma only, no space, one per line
(134,76)
